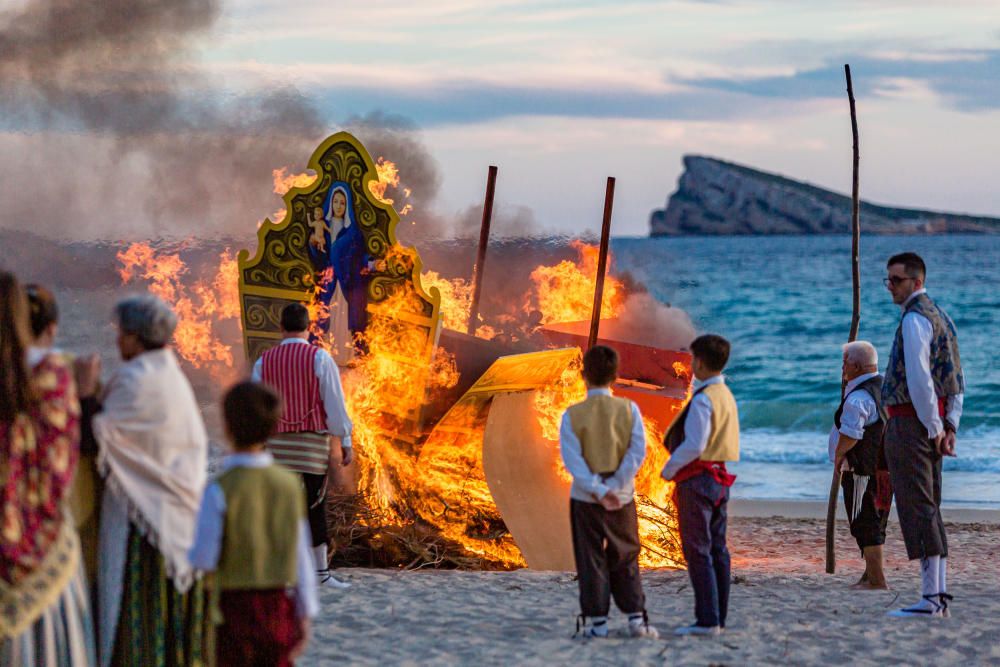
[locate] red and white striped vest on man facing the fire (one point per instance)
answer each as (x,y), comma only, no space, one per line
(291,370)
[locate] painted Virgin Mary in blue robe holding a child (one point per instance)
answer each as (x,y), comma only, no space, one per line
(337,251)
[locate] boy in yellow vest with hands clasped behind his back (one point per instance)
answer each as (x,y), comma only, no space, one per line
(603,444)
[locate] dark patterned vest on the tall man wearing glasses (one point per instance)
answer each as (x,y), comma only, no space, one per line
(946,366)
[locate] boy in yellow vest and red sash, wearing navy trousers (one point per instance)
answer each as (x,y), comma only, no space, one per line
(702,438)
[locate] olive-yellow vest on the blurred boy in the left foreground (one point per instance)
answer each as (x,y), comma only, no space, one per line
(263,509)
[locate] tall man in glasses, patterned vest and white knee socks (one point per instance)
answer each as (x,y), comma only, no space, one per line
(922,393)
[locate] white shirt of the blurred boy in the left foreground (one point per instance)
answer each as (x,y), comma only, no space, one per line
(206,550)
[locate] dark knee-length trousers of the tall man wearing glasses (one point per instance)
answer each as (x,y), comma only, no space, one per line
(915,470)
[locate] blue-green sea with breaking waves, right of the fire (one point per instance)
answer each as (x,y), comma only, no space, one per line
(785,303)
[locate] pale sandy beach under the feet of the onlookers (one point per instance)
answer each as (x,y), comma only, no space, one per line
(784,609)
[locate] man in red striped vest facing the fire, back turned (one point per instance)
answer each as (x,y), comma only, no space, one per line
(307,379)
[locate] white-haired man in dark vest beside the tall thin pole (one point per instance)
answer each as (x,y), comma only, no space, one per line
(856,450)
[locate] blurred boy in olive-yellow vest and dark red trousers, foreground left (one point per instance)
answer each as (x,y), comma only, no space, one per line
(253,533)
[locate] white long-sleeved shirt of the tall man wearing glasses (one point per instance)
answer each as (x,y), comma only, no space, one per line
(917,335)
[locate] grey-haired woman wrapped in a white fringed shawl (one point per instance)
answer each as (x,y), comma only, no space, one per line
(153,452)
